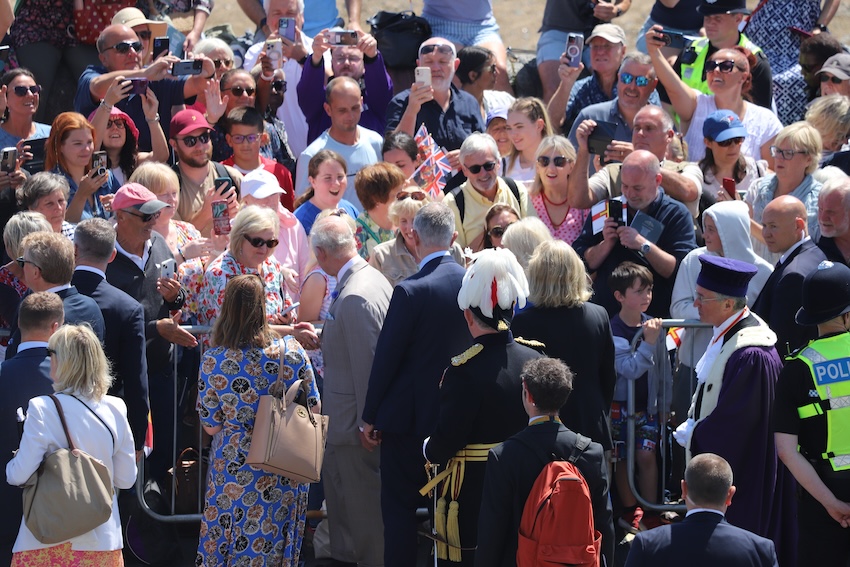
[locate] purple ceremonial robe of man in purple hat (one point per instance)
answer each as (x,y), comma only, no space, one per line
(740,430)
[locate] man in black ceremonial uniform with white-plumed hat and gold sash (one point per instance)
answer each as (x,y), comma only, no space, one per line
(480,399)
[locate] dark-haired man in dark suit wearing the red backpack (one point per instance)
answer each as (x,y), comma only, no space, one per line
(513,467)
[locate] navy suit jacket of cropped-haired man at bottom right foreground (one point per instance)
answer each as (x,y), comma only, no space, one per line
(703,539)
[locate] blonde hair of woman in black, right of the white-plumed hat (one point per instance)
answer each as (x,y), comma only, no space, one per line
(557,276)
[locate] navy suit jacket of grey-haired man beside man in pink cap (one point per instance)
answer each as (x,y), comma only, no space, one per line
(124,345)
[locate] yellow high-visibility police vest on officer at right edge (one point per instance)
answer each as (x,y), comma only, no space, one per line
(828,360)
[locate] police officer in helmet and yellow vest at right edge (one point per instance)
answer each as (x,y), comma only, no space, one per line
(812,409)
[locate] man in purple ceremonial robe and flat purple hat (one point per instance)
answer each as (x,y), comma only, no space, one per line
(731,413)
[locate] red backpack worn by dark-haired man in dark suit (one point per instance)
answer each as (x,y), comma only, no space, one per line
(557,528)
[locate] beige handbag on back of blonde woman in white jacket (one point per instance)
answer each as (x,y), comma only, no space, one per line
(70,493)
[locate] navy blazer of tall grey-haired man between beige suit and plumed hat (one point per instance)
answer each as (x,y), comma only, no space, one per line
(423,329)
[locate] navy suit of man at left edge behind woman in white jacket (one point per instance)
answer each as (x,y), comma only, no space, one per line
(22,377)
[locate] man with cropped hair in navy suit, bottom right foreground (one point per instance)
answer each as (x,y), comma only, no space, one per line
(704,538)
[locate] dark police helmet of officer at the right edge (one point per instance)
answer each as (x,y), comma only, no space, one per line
(826,294)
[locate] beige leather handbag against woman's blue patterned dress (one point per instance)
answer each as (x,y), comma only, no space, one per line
(288,438)
